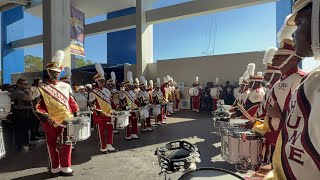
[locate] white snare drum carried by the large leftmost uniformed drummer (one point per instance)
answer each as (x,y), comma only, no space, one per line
(78,129)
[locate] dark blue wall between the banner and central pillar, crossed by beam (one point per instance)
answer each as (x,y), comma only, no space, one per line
(122,44)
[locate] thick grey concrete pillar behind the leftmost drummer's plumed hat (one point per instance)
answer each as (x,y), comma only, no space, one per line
(56,29)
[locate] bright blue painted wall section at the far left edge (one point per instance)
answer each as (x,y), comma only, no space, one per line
(11,30)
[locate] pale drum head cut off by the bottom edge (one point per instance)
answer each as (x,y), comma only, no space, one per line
(210,174)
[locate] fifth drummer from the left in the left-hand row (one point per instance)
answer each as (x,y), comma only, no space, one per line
(158,101)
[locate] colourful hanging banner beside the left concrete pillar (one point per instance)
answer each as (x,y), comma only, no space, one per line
(77,32)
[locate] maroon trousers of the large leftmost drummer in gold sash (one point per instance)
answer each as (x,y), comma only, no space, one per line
(63,158)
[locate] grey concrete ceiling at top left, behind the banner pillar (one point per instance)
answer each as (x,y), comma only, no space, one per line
(91,8)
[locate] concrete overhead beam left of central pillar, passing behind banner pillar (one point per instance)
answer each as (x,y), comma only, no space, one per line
(107,26)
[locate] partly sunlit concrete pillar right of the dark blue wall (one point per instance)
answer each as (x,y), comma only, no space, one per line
(144,36)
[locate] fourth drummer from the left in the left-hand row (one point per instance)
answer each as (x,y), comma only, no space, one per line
(144,103)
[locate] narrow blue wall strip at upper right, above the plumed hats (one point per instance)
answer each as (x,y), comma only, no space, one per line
(283,9)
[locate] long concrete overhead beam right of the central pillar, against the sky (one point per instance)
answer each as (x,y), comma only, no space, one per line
(197,7)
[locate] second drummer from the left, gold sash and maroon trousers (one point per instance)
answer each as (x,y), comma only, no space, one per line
(100,99)
